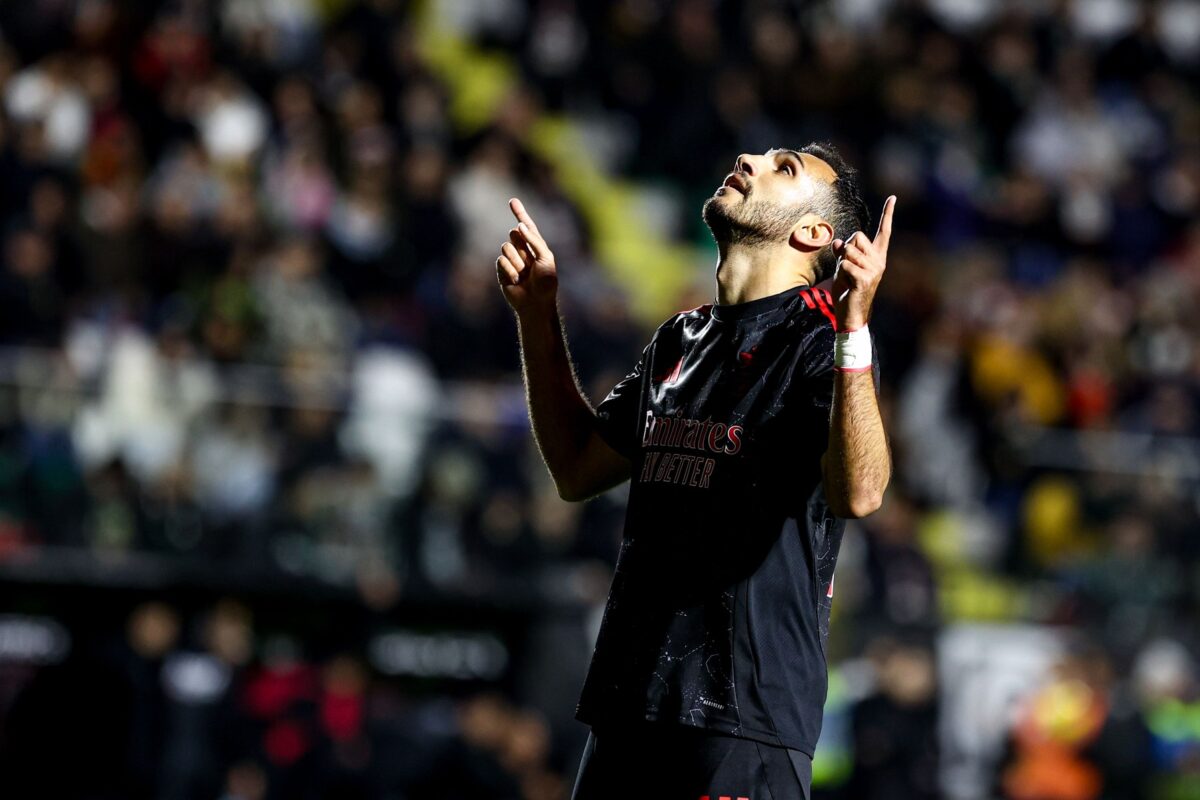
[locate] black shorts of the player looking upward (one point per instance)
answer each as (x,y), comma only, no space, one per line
(679,762)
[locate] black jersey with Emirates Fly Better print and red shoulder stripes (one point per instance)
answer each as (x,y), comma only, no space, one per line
(719,607)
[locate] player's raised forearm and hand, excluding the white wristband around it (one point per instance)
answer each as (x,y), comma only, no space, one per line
(857,464)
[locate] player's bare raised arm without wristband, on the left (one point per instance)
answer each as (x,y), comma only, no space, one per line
(565,424)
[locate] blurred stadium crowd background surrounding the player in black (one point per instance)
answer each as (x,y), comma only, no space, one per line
(272,519)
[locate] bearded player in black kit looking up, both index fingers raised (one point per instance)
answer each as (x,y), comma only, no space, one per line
(751,430)
